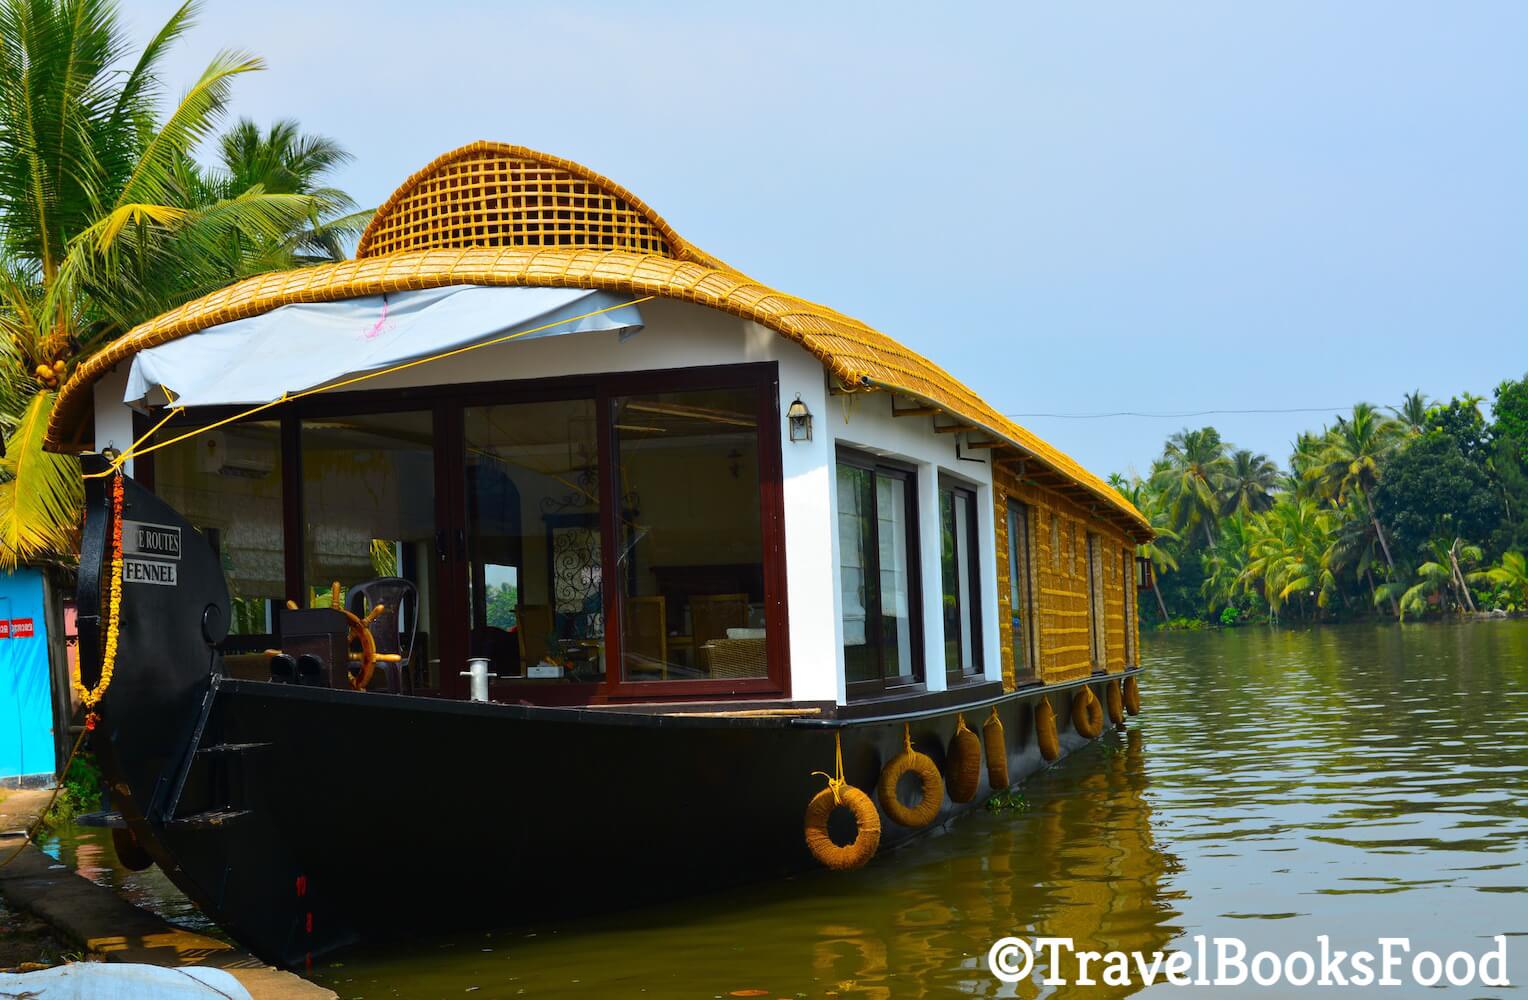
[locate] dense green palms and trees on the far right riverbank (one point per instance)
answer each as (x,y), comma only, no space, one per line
(1407,511)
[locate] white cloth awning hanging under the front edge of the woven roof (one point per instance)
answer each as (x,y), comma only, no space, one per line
(311,345)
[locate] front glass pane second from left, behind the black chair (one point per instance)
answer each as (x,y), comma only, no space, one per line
(369,511)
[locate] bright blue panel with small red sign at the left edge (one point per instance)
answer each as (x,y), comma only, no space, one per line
(27,709)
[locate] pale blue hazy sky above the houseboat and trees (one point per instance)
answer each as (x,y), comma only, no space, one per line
(1075,209)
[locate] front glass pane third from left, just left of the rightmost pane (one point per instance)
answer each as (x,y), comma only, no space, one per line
(537,596)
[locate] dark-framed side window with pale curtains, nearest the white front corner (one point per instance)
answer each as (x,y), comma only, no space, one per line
(876,577)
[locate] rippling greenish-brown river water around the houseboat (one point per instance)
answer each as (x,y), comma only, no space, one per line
(1359,782)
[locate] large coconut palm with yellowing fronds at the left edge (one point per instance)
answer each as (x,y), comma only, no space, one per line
(103,224)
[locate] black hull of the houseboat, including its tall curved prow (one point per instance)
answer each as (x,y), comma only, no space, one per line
(303,820)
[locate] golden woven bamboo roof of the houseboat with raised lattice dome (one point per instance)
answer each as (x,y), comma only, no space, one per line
(507,216)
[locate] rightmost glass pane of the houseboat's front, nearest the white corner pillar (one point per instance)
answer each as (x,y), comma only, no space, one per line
(691,560)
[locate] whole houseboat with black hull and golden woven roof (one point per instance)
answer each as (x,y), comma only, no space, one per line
(539,562)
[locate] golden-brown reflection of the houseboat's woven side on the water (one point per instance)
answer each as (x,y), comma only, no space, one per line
(1081,863)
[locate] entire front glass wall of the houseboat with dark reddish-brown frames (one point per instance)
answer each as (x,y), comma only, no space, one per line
(601,537)
